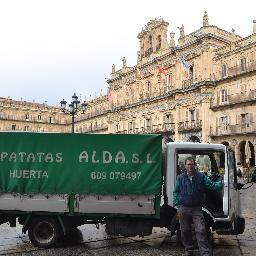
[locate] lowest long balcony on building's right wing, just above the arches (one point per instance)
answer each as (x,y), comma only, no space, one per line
(234,129)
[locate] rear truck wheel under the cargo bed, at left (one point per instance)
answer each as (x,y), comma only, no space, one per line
(44,232)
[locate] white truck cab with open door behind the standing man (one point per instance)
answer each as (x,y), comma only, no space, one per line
(221,209)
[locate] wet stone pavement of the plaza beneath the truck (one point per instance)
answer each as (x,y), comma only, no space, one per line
(89,241)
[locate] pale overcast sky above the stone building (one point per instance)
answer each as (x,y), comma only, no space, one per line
(50,49)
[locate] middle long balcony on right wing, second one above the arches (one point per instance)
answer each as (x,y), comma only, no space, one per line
(233,99)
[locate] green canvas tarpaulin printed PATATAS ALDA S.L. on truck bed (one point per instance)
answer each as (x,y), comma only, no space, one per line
(80,163)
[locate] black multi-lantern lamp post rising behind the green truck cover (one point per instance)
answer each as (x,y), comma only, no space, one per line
(74,107)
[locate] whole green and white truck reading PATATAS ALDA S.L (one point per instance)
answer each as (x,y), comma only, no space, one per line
(53,182)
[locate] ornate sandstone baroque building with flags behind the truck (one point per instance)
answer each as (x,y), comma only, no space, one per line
(202,89)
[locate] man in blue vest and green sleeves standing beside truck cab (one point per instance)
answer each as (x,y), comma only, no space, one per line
(189,195)
